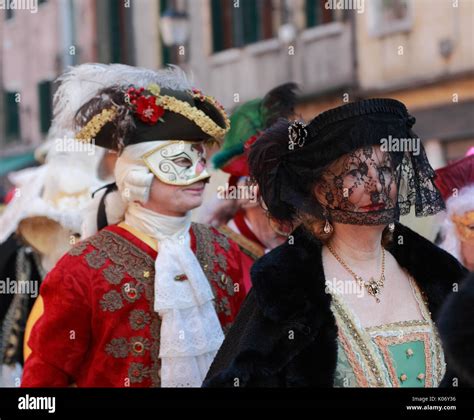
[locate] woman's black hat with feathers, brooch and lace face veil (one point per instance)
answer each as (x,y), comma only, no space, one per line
(367,146)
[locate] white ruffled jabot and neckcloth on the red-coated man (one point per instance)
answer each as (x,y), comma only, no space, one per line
(191,332)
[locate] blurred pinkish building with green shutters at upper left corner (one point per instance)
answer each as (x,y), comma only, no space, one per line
(36,46)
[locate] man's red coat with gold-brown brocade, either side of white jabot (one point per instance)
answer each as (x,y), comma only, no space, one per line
(98,327)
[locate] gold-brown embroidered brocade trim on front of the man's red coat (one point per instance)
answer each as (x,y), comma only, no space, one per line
(126,258)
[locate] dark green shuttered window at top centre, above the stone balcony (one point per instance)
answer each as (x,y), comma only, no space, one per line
(239,23)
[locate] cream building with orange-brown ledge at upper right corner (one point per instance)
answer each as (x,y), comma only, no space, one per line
(423,55)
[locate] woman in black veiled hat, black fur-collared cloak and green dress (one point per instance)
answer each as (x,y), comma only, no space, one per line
(349,300)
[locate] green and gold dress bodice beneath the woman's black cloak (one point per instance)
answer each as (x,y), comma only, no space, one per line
(399,354)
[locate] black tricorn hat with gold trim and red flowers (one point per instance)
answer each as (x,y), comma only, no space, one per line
(119,116)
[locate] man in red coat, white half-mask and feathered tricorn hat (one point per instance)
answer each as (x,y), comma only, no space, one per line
(146,300)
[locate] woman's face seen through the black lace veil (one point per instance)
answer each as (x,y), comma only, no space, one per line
(362,181)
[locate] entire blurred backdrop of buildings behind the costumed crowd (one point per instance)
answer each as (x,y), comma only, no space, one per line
(417,51)
